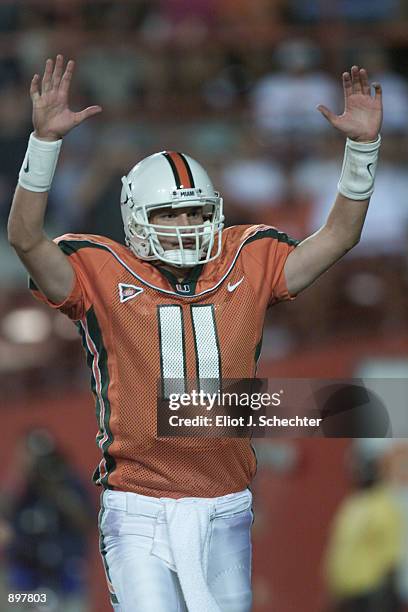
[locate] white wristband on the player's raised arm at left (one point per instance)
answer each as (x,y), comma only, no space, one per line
(39,164)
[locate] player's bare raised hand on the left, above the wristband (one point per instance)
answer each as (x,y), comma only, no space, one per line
(52,118)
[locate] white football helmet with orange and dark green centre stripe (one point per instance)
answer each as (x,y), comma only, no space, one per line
(170,179)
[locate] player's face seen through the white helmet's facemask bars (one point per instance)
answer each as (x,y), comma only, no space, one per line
(182,217)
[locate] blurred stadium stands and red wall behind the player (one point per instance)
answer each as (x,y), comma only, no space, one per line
(234,83)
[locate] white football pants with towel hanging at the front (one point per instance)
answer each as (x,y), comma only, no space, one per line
(187,555)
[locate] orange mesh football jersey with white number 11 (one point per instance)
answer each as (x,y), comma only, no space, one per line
(139,325)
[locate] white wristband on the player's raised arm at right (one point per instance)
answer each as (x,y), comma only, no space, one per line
(359,166)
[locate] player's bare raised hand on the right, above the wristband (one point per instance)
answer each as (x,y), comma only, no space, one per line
(362,116)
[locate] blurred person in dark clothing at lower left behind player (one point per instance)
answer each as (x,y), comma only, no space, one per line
(47,513)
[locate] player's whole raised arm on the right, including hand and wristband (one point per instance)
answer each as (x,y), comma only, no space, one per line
(361,123)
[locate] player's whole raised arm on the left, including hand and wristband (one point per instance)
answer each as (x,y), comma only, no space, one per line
(52,119)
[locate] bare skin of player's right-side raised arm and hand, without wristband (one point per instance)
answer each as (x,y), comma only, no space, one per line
(360,122)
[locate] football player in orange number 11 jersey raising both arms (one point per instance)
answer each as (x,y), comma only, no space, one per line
(183,298)
